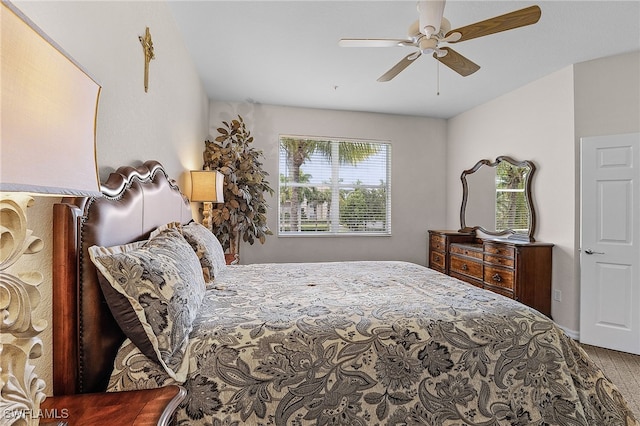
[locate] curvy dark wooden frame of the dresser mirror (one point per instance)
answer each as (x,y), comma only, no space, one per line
(510,233)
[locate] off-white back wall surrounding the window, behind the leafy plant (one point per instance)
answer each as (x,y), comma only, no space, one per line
(417,171)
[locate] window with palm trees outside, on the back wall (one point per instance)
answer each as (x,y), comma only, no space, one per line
(334,187)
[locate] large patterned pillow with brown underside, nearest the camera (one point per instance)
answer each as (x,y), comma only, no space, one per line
(154,290)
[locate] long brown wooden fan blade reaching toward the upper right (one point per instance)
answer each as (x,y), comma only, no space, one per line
(509,21)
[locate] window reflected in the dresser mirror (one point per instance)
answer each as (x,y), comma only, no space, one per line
(512,211)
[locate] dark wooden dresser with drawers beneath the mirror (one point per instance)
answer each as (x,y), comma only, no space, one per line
(517,269)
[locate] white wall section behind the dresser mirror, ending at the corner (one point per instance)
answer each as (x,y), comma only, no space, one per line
(532,123)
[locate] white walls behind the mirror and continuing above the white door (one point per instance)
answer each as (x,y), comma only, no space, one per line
(544,122)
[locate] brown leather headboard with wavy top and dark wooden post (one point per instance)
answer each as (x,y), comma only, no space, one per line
(85,336)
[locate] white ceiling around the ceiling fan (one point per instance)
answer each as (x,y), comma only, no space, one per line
(286,52)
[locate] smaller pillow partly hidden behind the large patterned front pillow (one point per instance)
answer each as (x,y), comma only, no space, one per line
(205,244)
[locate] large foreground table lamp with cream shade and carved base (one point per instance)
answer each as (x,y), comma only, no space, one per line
(47,146)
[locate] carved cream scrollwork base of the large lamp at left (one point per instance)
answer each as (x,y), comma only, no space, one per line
(21,391)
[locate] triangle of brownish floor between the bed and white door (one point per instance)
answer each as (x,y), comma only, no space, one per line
(623,370)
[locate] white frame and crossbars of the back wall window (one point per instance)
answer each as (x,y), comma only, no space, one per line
(334,217)
